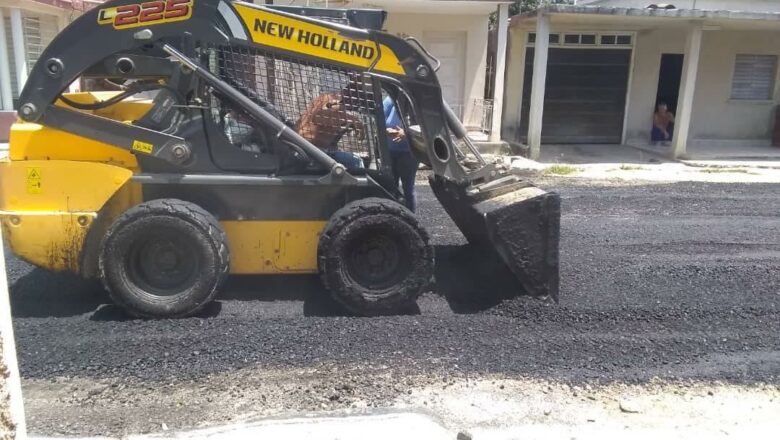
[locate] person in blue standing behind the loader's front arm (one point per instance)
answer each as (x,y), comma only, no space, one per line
(402,161)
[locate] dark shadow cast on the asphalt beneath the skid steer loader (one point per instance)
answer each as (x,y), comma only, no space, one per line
(469,281)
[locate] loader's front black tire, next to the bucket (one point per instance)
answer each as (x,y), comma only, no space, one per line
(393,231)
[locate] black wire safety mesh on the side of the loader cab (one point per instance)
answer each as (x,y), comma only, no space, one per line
(333,108)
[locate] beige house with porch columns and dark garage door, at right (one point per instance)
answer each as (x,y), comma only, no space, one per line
(593,73)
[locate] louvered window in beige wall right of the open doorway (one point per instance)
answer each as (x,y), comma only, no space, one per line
(754,77)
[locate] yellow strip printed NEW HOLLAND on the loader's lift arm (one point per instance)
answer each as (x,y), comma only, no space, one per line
(305,38)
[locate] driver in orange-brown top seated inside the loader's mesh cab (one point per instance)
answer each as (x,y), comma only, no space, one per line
(323,124)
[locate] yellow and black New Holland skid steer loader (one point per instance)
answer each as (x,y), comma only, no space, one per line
(216,154)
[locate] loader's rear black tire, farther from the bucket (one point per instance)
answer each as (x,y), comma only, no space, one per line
(178,238)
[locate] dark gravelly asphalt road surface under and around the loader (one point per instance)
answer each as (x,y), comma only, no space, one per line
(678,282)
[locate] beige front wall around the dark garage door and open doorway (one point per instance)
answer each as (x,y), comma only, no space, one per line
(715,116)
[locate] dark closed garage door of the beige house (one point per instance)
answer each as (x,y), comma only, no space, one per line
(585,95)
